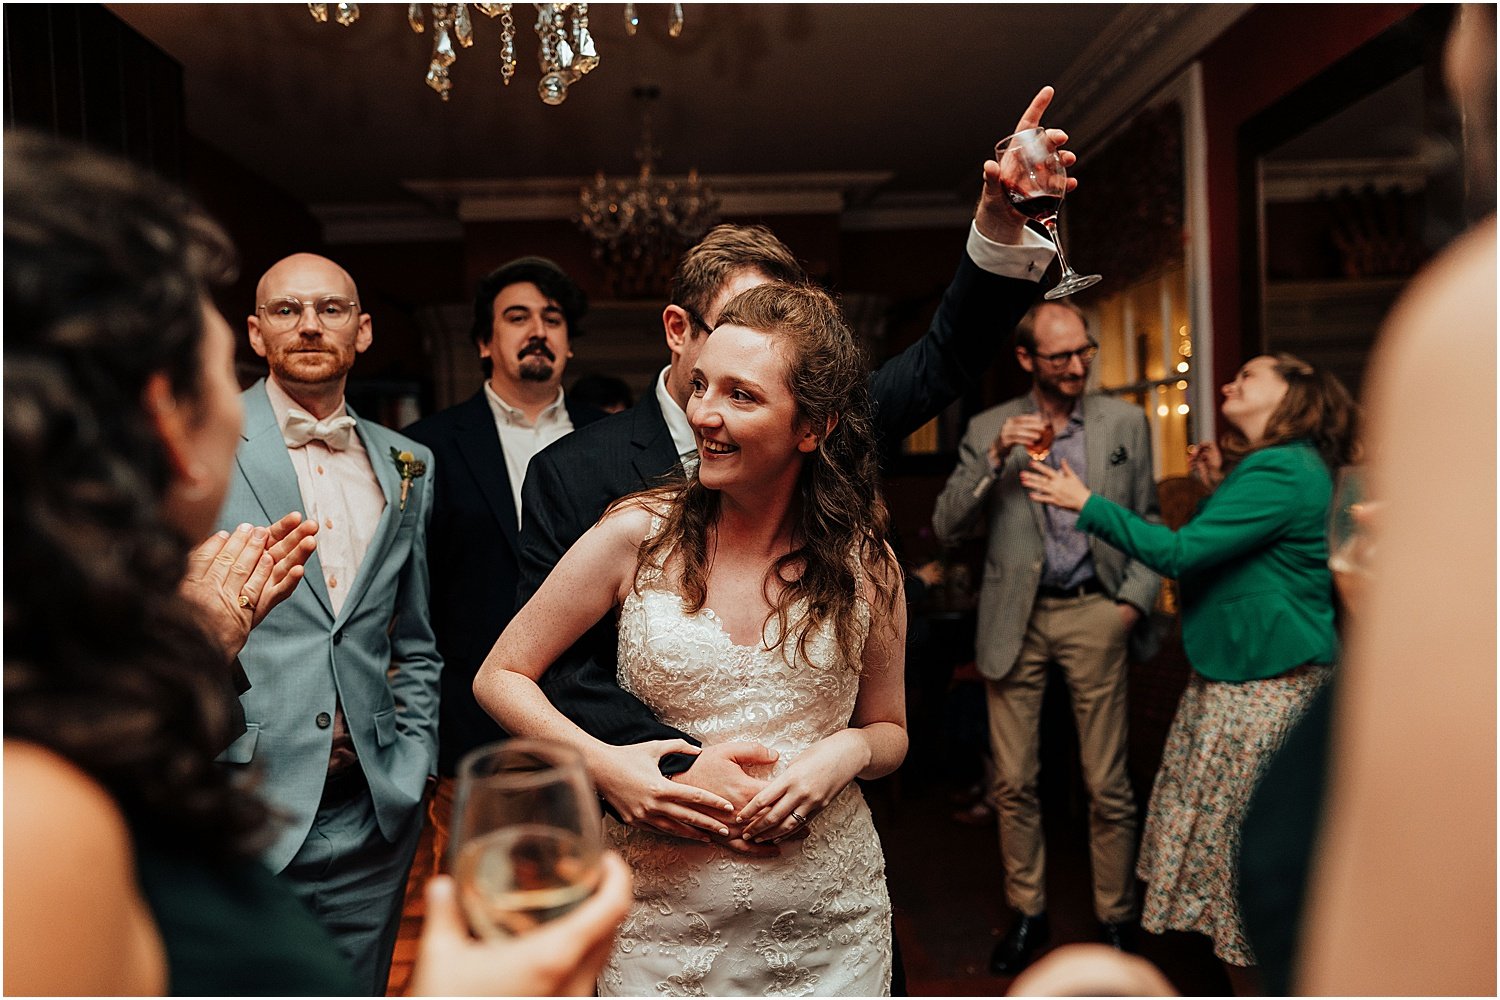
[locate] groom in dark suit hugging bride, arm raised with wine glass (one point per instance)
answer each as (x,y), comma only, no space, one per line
(572,484)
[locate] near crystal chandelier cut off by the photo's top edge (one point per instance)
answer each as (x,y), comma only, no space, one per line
(566,47)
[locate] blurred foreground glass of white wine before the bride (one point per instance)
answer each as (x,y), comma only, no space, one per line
(527,836)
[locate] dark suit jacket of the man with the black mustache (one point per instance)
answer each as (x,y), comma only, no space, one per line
(472,560)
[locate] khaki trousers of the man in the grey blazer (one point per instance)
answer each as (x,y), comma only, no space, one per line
(1087,639)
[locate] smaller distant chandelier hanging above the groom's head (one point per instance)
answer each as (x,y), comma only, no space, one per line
(641,227)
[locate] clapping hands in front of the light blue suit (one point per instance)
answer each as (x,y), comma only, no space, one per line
(235,579)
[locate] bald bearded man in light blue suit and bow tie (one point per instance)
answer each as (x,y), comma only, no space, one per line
(341,714)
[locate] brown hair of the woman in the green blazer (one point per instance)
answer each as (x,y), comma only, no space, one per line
(1316,409)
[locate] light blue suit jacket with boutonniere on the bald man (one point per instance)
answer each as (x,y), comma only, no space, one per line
(377,656)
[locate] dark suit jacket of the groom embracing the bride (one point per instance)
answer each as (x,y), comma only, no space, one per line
(571,484)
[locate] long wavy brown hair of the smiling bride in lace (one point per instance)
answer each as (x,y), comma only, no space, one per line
(842,521)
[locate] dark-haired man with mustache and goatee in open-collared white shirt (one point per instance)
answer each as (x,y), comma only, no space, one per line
(526,316)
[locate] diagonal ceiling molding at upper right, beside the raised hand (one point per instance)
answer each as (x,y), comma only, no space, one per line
(1132,59)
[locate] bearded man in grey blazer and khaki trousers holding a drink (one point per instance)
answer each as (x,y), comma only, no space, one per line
(1055,596)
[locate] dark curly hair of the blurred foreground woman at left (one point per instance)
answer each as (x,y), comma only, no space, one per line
(107,272)
